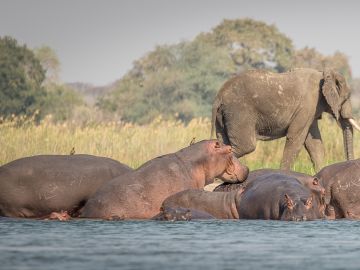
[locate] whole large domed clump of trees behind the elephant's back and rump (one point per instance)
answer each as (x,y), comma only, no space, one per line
(181,80)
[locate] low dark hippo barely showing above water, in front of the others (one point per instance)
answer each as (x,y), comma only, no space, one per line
(180,214)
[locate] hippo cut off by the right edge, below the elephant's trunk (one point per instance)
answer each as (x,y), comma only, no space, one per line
(342,186)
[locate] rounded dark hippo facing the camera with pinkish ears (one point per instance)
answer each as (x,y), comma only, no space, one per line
(280,197)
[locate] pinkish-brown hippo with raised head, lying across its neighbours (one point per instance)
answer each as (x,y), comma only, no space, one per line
(140,194)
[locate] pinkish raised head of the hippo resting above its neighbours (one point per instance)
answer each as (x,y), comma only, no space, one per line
(222,163)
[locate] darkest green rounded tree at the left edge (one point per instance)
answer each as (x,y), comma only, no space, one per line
(21,76)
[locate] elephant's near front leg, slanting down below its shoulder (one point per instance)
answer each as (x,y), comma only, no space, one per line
(295,139)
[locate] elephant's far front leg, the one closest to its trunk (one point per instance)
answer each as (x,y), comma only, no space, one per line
(314,146)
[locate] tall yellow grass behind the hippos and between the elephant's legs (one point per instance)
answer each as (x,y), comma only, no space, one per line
(134,144)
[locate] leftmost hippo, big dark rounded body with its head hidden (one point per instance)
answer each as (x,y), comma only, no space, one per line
(36,186)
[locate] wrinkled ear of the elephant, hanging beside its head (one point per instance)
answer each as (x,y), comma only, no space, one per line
(330,92)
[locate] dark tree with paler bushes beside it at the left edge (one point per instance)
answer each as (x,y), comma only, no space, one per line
(29,83)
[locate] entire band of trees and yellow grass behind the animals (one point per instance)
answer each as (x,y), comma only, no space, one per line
(158,106)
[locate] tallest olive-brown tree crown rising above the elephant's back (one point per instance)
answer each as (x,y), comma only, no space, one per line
(252,44)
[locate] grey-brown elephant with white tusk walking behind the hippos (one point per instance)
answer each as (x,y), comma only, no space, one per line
(261,105)
